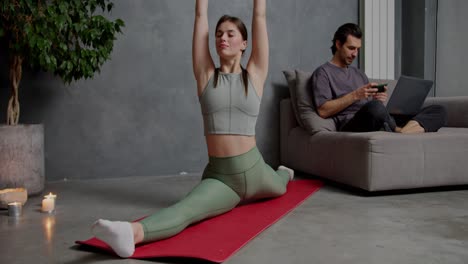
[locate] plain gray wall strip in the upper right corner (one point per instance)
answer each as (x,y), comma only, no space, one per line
(452,39)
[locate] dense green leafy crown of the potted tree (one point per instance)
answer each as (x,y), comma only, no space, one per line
(63,36)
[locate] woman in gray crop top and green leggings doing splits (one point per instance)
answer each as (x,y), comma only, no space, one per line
(230,102)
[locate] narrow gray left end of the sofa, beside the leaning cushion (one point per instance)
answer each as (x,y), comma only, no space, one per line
(287,123)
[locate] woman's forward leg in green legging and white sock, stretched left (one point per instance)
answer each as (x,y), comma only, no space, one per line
(209,198)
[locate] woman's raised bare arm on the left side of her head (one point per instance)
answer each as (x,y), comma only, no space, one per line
(201,58)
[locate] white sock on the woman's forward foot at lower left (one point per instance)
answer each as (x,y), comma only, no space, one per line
(118,235)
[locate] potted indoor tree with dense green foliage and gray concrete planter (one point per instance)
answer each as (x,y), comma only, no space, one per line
(69,38)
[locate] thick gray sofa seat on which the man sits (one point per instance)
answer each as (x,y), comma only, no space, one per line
(377,161)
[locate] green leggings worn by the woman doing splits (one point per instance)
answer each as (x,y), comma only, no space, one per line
(225,183)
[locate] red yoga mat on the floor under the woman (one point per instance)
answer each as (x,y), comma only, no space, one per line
(217,238)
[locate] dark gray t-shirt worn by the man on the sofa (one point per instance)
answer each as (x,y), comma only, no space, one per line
(330,82)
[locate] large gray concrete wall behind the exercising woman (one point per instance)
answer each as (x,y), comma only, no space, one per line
(140,116)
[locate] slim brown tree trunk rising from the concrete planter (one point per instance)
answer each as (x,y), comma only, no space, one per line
(15,78)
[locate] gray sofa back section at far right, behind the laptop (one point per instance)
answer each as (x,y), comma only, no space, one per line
(457,109)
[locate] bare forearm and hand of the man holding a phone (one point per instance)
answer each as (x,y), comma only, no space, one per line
(333,107)
